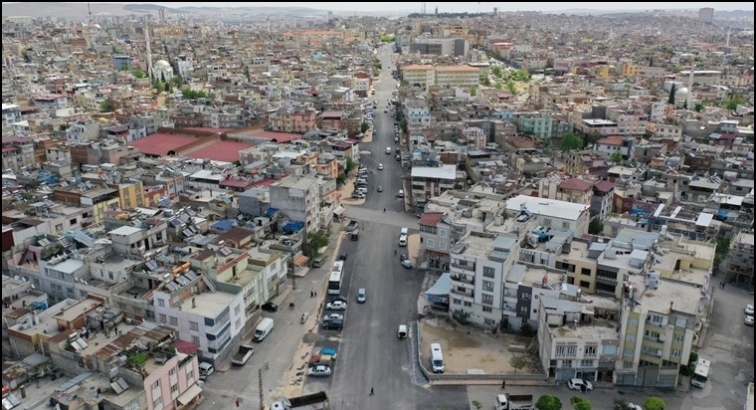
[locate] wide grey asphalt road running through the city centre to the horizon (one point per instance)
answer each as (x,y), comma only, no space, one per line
(370,354)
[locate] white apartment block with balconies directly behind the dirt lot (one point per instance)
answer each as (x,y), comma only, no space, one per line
(479,266)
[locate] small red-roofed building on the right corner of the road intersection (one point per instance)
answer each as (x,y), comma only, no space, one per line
(435,234)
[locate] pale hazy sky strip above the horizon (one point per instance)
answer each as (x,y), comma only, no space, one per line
(471,7)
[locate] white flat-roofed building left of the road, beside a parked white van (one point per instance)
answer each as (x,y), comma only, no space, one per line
(210,319)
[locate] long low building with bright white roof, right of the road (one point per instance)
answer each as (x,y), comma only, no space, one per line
(550,213)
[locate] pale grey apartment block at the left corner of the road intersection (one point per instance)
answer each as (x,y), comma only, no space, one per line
(298,198)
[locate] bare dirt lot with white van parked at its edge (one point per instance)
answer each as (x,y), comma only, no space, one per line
(467,349)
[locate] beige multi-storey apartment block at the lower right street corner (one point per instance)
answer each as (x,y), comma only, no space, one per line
(659,323)
